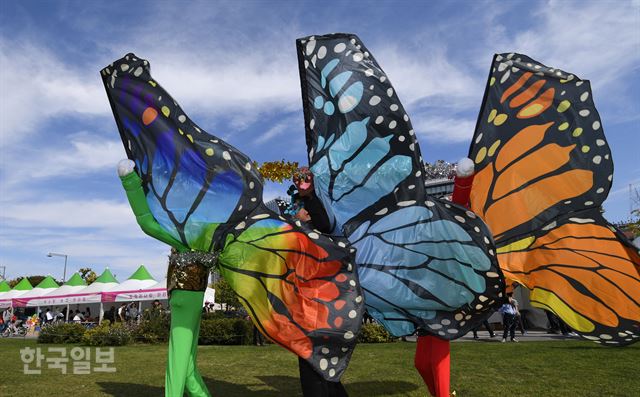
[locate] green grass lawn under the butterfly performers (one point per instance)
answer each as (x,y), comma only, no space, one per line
(552,368)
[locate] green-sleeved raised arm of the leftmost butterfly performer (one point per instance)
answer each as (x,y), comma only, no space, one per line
(133,187)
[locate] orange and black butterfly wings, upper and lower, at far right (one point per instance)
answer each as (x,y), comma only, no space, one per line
(543,168)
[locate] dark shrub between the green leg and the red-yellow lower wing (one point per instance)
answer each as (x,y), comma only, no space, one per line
(225,331)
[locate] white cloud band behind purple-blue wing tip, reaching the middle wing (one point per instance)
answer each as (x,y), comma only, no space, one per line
(38,86)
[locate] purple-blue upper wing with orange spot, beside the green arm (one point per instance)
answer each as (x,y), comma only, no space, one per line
(197,186)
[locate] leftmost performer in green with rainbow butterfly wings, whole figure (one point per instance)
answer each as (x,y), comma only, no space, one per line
(203,197)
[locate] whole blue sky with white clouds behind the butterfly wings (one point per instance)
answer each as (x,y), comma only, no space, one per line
(233,68)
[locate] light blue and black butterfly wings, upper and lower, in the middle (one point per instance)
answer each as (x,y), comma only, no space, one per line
(422,262)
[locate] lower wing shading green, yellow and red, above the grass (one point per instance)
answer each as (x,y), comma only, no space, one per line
(299,286)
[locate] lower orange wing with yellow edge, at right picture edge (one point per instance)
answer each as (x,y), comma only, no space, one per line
(582,270)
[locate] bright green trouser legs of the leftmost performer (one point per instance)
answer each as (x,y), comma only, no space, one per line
(186,310)
